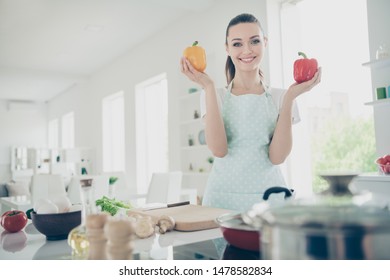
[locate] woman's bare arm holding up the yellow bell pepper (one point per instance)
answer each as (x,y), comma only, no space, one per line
(214,127)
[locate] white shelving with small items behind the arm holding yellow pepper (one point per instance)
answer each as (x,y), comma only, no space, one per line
(195,157)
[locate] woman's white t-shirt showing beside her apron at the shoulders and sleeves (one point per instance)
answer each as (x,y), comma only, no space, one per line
(276,93)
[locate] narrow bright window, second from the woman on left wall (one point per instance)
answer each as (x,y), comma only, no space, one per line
(113,133)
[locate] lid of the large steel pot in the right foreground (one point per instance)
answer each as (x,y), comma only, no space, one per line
(317,216)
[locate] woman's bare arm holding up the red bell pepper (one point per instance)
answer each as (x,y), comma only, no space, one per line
(281,143)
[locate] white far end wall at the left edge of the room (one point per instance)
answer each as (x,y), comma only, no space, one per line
(22,127)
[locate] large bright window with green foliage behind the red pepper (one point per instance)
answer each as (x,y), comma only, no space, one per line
(336,128)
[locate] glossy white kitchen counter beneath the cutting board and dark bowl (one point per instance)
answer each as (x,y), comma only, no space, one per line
(29,244)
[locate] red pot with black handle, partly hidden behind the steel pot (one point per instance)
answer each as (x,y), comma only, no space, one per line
(238,232)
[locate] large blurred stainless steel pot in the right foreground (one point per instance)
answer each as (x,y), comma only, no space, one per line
(329,227)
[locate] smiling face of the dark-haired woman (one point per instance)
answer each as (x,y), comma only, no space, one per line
(245,46)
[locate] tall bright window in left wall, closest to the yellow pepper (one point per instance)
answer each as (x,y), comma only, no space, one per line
(151,129)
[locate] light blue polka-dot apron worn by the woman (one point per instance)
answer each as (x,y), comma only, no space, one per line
(238,180)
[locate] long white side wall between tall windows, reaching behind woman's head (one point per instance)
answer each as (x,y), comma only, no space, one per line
(158,54)
